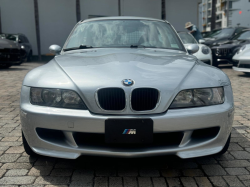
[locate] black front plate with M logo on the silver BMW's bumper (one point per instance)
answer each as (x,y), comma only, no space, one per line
(129,131)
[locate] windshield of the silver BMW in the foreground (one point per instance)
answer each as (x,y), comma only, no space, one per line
(125,33)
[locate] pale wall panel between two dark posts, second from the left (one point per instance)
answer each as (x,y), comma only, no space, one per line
(56,21)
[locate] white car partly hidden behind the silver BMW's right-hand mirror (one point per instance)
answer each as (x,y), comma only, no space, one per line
(204,54)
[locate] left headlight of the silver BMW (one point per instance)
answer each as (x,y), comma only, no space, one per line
(56,98)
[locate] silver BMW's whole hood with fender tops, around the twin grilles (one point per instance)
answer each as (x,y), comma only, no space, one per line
(86,71)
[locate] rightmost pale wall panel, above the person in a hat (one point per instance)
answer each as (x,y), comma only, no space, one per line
(178,12)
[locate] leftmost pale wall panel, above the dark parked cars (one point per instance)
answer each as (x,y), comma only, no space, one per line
(18,17)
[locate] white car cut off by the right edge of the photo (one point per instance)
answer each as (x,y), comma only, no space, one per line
(241,60)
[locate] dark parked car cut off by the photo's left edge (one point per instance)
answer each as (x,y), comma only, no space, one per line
(9,53)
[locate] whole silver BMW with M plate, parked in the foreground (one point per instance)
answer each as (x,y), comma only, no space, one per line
(126,87)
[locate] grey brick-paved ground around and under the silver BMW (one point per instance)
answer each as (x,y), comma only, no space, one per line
(18,169)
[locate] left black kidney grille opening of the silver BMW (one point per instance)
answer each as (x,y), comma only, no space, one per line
(112,99)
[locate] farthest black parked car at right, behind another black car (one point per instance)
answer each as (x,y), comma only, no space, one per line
(222,35)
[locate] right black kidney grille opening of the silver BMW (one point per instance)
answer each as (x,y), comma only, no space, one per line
(144,99)
